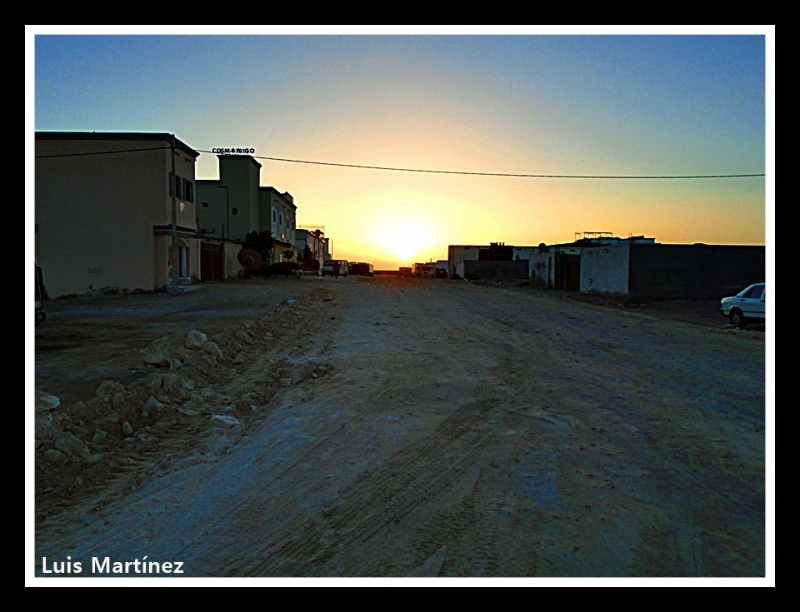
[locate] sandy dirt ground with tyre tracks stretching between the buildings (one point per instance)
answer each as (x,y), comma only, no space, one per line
(403,427)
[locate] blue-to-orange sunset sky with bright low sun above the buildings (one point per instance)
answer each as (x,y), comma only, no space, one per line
(517,102)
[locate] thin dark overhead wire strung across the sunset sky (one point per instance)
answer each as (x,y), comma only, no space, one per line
(425,171)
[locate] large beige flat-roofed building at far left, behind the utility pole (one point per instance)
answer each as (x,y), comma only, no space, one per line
(104,210)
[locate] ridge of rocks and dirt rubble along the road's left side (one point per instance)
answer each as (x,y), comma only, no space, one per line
(189,400)
